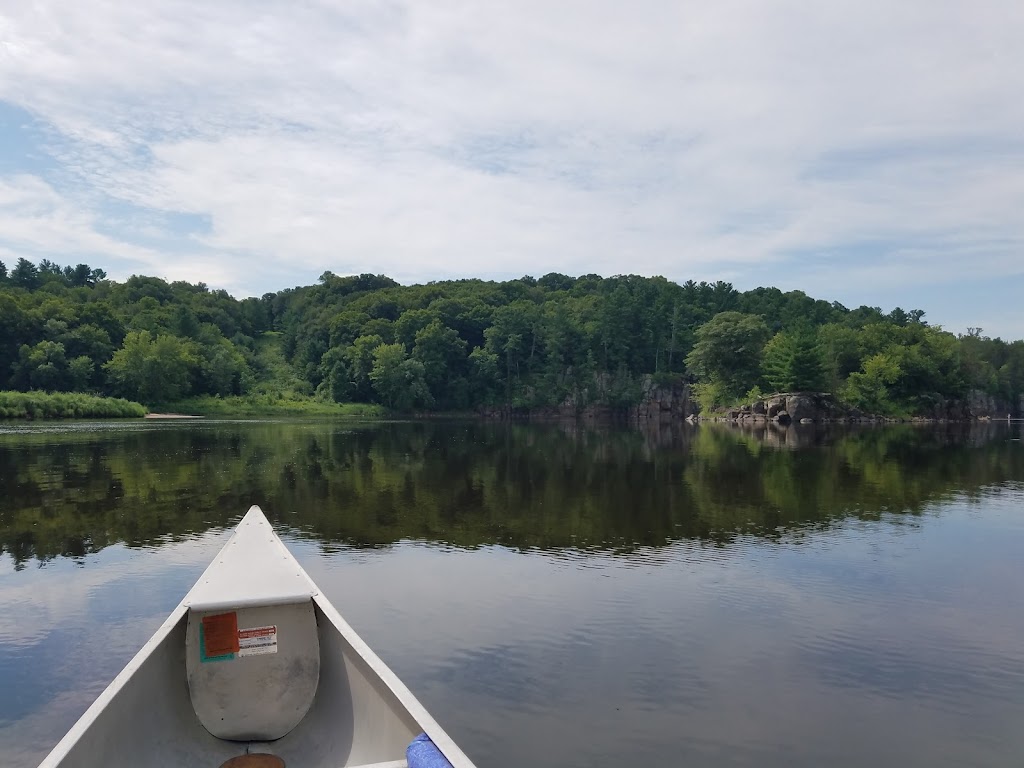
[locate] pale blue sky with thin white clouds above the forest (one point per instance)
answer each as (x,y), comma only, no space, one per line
(862,151)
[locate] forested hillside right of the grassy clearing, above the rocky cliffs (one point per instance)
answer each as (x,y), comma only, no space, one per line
(537,344)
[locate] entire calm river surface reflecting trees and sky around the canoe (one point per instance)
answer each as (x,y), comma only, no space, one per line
(560,598)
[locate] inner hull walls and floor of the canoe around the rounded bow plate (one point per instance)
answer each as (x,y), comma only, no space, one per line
(149,720)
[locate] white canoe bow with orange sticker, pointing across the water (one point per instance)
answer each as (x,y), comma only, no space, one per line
(253,661)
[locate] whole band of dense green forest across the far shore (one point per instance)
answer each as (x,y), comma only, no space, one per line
(457,346)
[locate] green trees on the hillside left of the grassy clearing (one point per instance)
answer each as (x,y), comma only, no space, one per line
(71,330)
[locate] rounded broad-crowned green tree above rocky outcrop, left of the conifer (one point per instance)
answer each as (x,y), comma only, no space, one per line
(729,351)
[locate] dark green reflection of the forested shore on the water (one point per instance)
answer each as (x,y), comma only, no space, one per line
(69,492)
